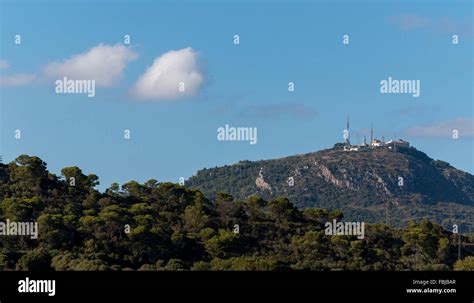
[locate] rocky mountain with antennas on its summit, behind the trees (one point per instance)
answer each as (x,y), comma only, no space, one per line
(372,184)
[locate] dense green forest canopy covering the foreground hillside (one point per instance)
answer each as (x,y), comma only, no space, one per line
(165,226)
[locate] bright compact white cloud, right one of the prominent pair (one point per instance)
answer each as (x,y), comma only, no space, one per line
(162,79)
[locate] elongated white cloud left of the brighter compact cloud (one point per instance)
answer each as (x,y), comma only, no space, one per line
(103,63)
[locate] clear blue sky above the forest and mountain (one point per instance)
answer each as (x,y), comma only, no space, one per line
(240,85)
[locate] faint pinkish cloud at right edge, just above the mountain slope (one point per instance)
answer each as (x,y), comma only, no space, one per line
(444,129)
